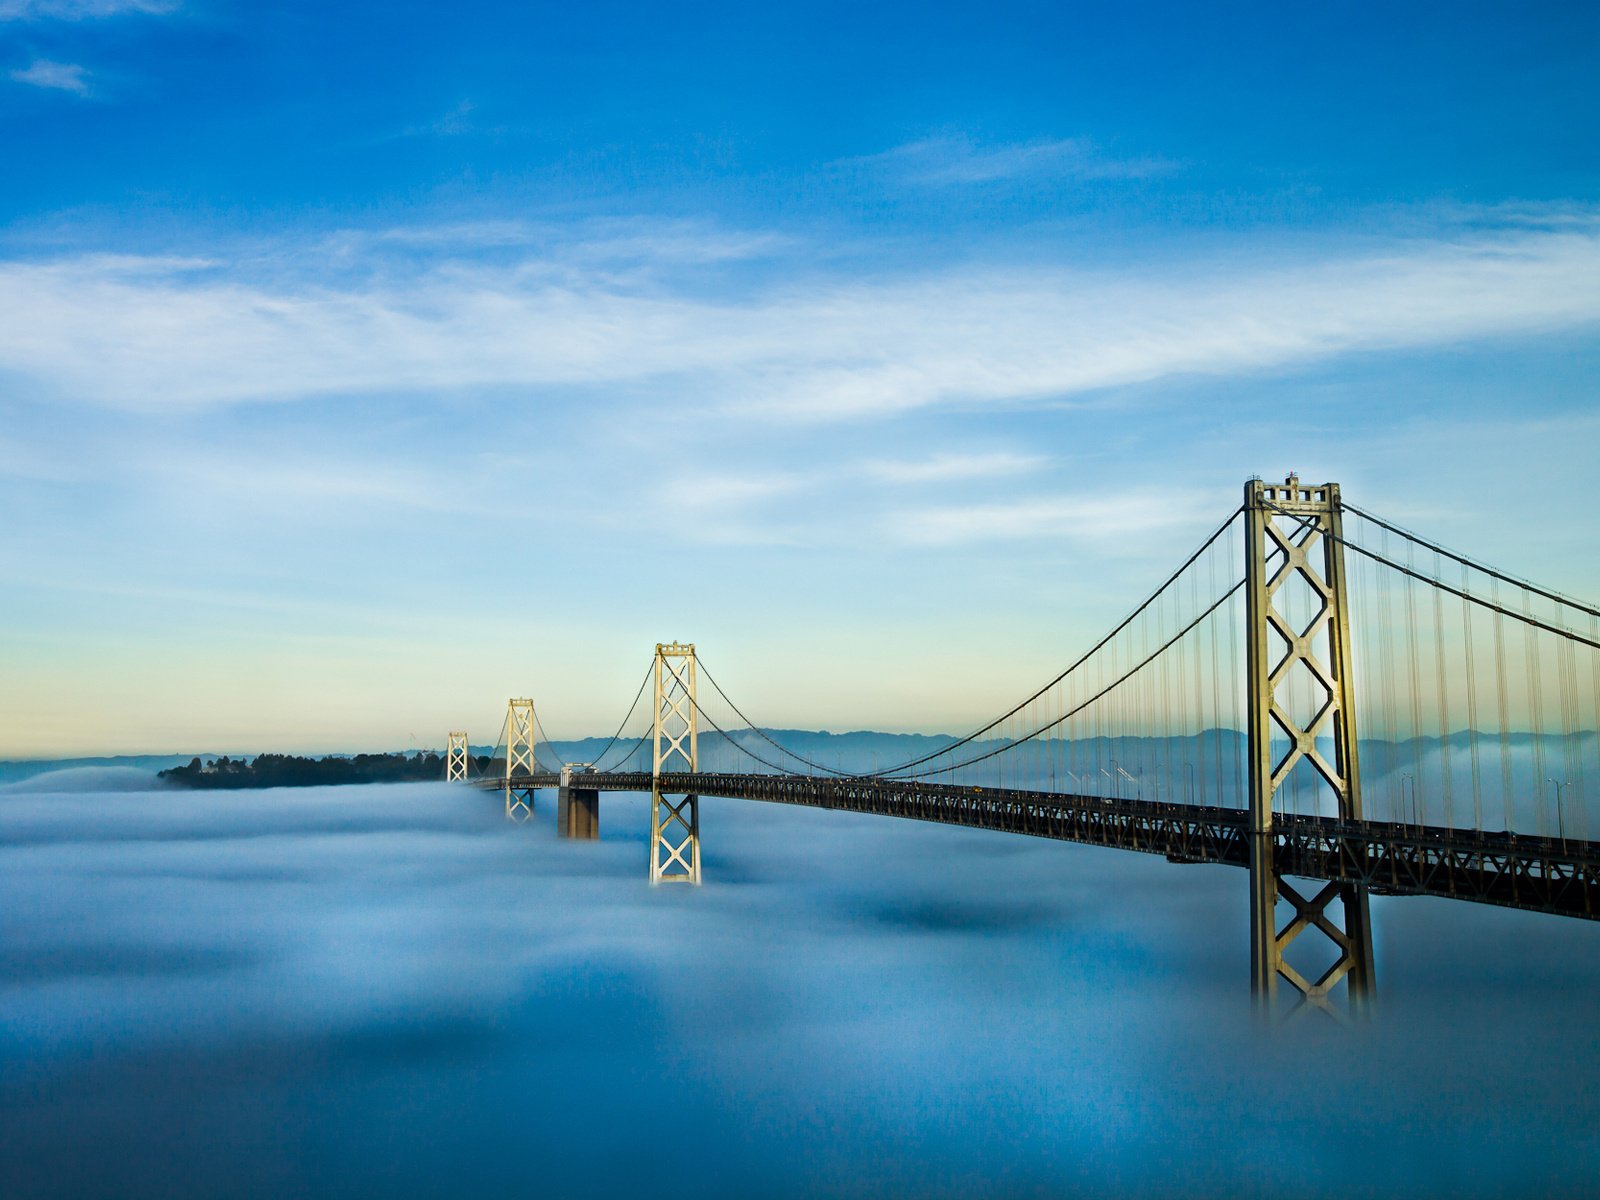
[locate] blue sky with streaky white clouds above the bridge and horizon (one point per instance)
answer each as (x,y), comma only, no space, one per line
(362,366)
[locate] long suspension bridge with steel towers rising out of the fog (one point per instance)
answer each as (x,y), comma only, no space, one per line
(1316,695)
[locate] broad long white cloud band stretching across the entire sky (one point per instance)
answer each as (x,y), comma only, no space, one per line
(162,334)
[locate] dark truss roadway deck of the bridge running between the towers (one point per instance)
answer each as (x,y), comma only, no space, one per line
(1524,873)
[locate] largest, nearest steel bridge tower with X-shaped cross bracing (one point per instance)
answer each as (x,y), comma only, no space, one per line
(1298,682)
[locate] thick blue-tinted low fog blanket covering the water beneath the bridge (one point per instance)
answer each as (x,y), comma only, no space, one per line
(391,993)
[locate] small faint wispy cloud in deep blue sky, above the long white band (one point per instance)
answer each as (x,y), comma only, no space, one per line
(958,159)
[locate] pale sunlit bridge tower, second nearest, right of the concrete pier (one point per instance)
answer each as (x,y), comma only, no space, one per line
(674,828)
